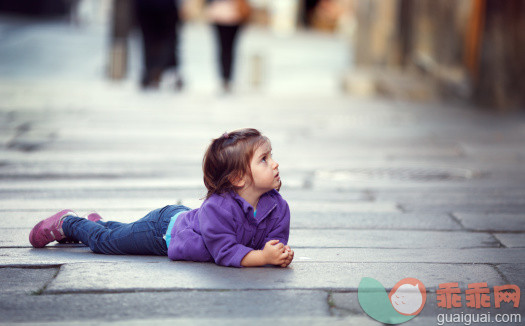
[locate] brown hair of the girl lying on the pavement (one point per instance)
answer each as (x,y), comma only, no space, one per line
(228,157)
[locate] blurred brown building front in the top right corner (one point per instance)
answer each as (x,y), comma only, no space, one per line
(420,49)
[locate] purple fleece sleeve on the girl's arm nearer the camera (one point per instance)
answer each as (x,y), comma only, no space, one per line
(219,234)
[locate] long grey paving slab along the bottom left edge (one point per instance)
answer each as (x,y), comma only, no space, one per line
(176,304)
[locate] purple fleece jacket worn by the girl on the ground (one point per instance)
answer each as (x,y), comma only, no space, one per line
(224,229)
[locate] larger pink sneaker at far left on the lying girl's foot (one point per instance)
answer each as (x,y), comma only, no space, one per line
(49,230)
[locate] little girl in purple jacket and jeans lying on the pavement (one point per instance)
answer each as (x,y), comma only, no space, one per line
(243,221)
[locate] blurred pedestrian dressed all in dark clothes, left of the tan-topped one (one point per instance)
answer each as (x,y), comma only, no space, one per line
(159,23)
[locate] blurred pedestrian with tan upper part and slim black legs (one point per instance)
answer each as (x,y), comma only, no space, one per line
(227,18)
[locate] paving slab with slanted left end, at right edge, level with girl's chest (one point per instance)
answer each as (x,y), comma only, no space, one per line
(492,222)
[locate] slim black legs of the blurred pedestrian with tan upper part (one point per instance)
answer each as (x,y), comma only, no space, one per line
(226,39)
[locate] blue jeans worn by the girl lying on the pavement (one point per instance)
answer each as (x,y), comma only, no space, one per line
(143,237)
